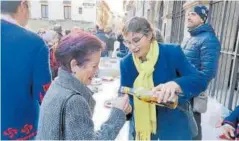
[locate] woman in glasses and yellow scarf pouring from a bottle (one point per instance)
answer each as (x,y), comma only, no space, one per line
(153,66)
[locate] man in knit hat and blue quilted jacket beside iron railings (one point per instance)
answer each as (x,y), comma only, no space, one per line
(202,50)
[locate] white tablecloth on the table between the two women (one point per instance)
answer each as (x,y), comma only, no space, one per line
(108,90)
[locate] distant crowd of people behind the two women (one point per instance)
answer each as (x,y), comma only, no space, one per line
(113,42)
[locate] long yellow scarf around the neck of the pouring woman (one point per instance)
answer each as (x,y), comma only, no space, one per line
(145,113)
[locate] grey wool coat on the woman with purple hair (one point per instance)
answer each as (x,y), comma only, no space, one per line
(78,124)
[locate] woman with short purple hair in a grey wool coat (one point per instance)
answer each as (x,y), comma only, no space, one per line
(79,55)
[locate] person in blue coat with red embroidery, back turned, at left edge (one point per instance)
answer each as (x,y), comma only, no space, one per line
(25,73)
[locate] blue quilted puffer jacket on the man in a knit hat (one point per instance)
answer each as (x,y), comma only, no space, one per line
(202,50)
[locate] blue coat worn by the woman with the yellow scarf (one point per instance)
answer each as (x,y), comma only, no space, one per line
(171,124)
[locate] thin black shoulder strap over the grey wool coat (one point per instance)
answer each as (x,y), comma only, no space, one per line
(62,117)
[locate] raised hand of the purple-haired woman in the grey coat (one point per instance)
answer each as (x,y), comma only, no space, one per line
(122,103)
